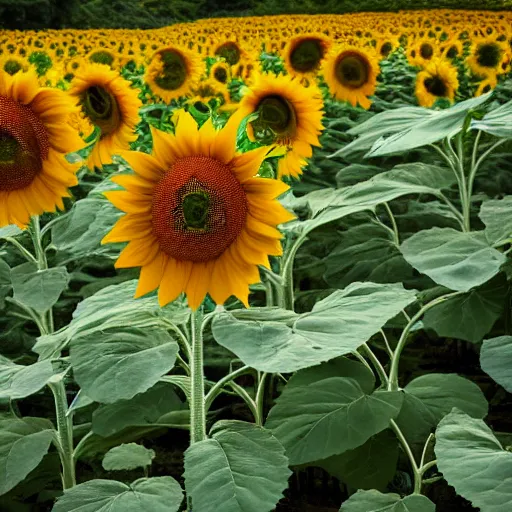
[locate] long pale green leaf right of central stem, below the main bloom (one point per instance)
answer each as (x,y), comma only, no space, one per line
(337,325)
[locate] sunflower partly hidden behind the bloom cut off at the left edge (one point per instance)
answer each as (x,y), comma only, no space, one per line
(109,103)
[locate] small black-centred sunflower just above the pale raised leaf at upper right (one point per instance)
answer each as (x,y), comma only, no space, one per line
(438,80)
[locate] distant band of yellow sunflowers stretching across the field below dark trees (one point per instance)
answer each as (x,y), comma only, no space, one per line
(203,59)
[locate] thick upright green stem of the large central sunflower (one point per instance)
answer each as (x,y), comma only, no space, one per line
(197,402)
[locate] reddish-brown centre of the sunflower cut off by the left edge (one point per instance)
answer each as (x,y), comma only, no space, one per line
(23,145)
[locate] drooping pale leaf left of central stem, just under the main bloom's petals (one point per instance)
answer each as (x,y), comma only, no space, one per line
(109,308)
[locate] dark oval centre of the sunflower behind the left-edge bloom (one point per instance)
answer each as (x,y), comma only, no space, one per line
(101,108)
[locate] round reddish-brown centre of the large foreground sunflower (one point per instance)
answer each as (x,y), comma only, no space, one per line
(199,209)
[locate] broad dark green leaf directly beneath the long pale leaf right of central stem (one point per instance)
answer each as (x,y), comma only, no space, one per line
(319,415)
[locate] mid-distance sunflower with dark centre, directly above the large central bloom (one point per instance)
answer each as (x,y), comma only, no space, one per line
(173,72)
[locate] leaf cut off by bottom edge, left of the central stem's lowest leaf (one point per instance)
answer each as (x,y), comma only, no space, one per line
(159,494)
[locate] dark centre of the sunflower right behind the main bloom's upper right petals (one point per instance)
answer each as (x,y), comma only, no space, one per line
(276,119)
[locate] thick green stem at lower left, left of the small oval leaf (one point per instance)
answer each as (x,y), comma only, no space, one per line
(64,431)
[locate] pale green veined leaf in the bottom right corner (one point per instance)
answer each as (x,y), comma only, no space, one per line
(473,461)
